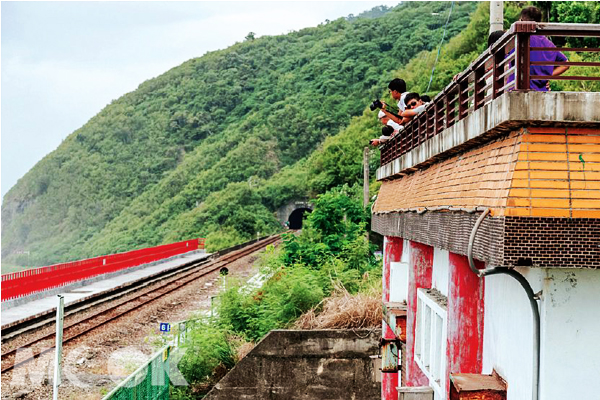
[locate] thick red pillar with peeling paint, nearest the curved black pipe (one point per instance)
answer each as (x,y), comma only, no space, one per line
(465,318)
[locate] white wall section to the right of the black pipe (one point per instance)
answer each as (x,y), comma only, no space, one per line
(571,335)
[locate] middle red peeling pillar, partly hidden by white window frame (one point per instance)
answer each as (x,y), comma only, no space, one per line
(420,271)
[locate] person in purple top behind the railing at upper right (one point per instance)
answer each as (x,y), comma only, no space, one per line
(533,14)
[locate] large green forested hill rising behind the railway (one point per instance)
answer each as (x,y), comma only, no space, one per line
(214,146)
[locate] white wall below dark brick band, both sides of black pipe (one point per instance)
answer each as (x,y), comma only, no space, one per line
(570,332)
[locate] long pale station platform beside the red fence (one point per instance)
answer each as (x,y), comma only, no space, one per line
(46,302)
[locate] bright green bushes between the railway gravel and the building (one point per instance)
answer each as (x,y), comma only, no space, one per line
(331,252)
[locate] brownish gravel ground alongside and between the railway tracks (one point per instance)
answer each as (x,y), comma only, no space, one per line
(97,360)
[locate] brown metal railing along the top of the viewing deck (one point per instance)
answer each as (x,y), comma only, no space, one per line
(503,67)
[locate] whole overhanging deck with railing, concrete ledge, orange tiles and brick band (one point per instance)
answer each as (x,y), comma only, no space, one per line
(489,143)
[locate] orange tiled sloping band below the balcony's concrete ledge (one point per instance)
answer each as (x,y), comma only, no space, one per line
(543,172)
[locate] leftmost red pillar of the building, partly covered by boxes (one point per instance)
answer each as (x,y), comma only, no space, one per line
(392,253)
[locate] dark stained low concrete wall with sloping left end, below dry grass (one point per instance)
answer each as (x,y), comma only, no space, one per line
(291,364)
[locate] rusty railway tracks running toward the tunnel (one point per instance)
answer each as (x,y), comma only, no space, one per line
(156,288)
